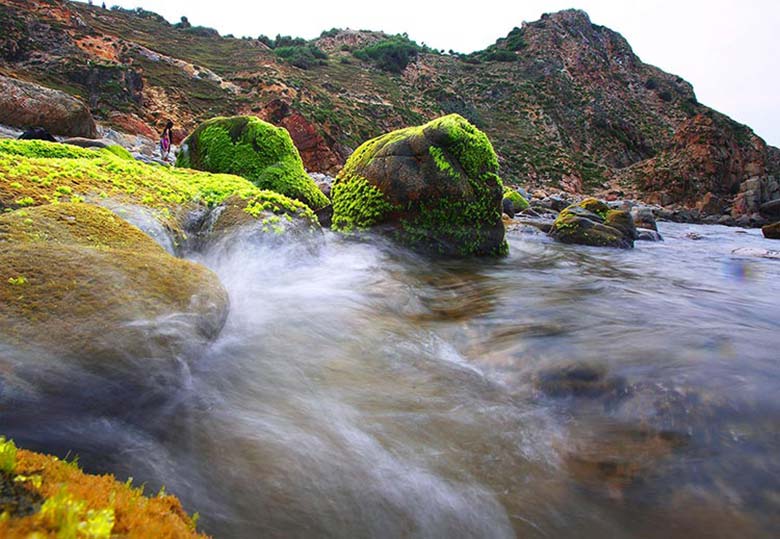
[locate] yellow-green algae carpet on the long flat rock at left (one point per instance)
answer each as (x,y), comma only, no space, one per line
(37,172)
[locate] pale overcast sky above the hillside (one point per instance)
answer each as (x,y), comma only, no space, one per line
(728,49)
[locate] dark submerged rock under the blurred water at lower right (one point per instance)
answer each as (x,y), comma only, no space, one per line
(578,380)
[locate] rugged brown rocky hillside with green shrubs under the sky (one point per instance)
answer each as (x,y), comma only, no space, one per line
(567,103)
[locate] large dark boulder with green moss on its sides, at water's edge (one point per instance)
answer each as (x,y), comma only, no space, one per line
(434,187)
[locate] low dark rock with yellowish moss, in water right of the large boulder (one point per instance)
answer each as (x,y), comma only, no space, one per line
(591,222)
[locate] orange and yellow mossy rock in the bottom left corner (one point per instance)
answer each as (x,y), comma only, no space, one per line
(51,498)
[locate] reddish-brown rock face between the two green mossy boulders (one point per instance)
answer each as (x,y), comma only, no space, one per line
(317,156)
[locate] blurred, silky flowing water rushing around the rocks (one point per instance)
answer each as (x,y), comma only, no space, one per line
(360,390)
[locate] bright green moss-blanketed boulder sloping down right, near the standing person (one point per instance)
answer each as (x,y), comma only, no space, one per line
(255,150)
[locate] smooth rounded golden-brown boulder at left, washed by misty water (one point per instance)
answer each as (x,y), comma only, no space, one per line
(80,283)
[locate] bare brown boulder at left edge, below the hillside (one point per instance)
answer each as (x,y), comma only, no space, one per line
(24,104)
